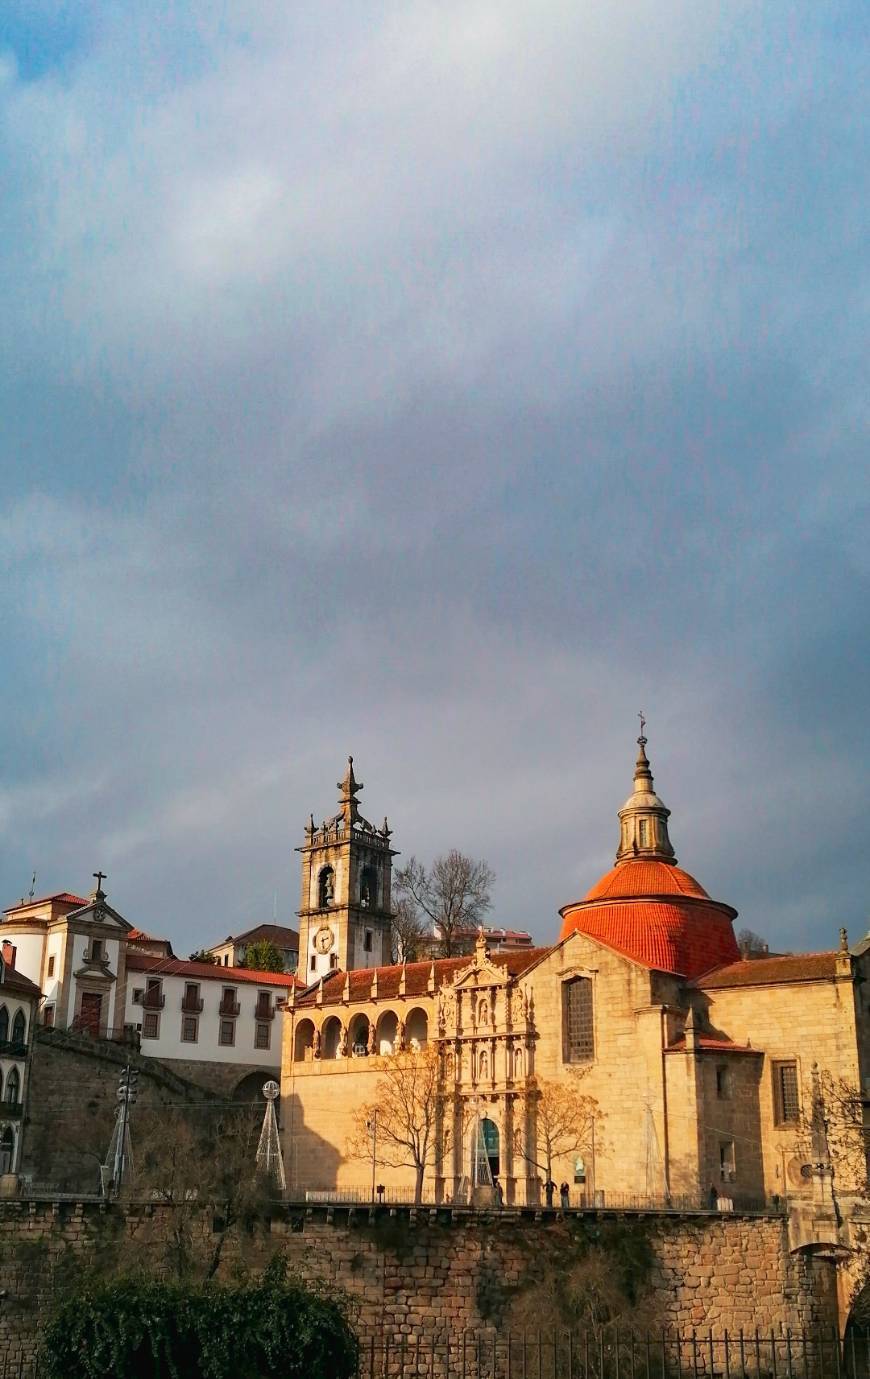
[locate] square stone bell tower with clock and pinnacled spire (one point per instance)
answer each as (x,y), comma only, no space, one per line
(347,874)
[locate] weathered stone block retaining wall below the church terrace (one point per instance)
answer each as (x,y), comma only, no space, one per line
(438,1274)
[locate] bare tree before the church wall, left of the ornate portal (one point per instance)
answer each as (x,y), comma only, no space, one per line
(406,1109)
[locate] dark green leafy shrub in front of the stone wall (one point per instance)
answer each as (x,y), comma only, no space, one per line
(150,1330)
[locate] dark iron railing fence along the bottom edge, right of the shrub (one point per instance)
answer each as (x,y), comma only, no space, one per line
(610,1353)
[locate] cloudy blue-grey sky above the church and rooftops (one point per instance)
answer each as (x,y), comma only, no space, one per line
(442,384)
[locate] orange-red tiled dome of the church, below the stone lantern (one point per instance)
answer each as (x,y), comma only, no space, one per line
(657,915)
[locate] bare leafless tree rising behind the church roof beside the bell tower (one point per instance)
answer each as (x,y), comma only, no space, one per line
(454,894)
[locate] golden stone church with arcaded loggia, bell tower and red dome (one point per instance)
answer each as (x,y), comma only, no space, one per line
(642,1057)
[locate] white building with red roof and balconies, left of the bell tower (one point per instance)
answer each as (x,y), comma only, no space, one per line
(101,977)
